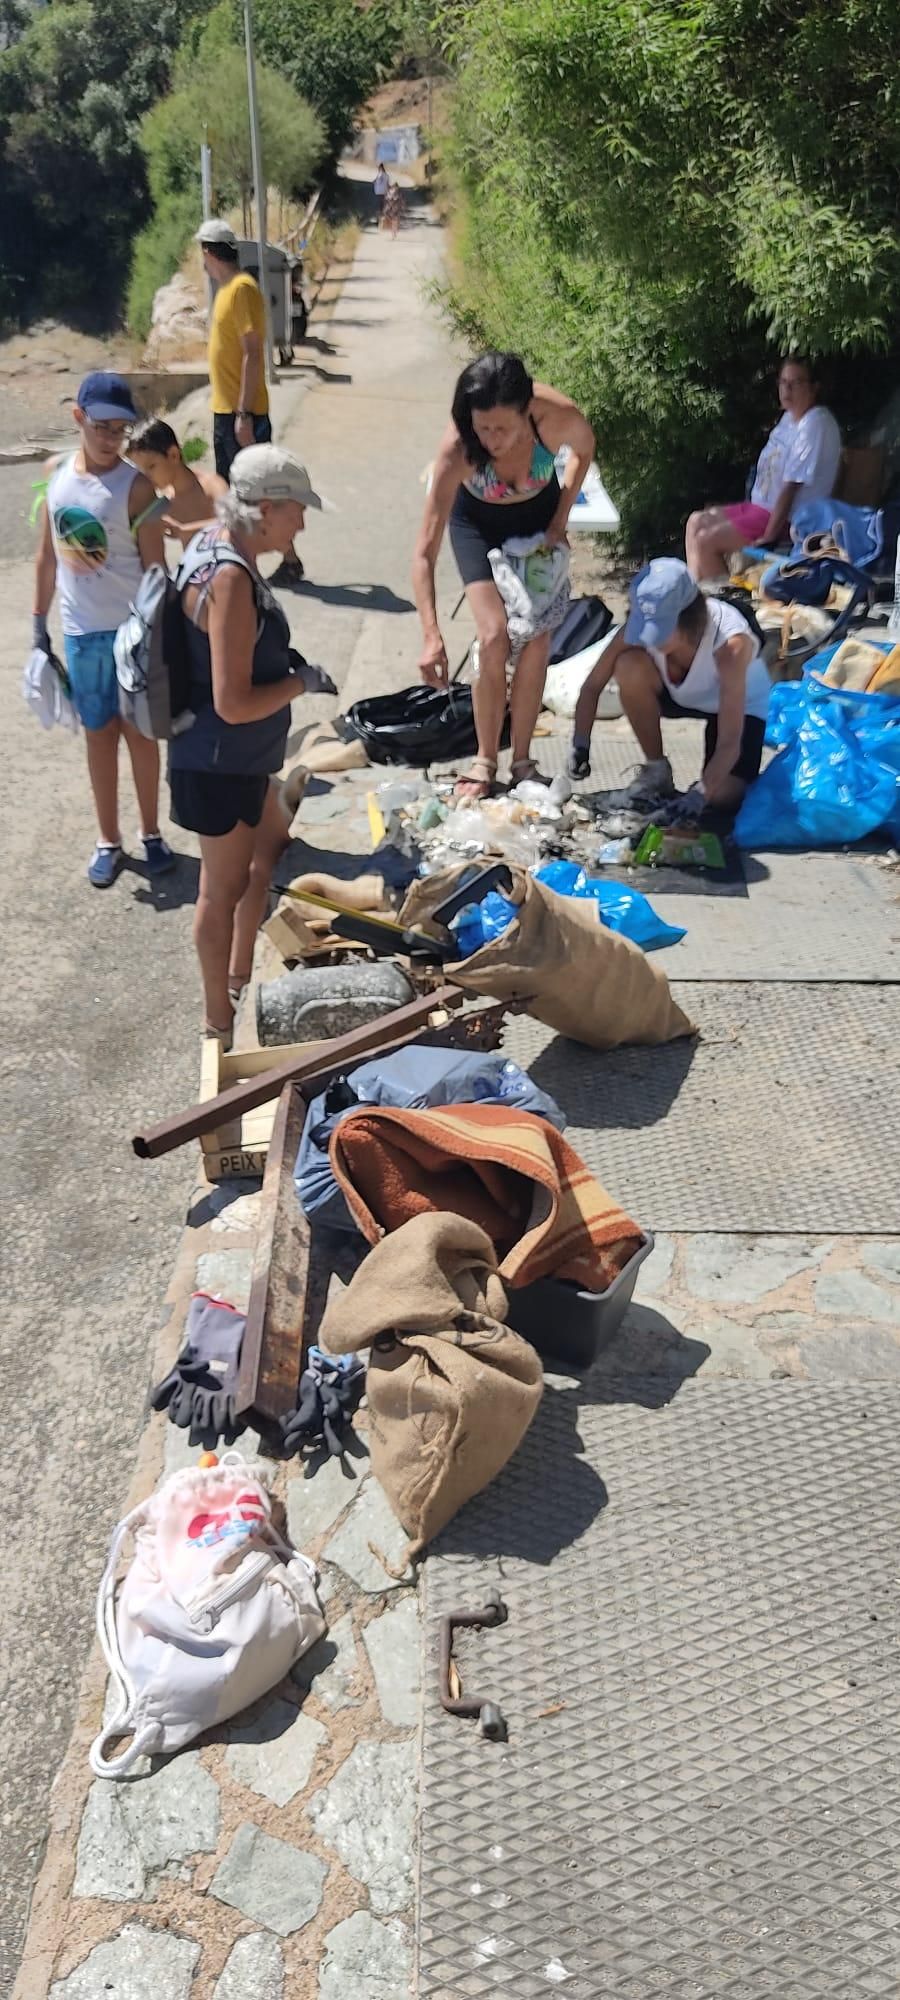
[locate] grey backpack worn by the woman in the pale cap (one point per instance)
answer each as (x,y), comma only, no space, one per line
(153,665)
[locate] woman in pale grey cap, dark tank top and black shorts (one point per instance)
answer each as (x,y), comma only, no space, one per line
(243,679)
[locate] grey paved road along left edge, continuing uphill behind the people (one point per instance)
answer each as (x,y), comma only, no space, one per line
(99,1029)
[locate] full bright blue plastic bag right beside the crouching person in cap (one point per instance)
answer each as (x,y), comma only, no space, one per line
(837,777)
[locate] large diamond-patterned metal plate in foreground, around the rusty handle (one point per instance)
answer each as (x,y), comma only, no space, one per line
(701,1791)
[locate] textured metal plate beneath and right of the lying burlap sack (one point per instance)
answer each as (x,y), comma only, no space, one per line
(781,1115)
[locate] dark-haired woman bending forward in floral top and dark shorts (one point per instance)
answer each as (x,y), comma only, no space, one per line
(495,477)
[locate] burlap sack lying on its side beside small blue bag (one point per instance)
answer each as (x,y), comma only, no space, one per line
(579,977)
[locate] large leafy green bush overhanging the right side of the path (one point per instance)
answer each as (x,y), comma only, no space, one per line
(661,199)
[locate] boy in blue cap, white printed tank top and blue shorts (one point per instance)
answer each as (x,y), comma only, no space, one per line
(97,537)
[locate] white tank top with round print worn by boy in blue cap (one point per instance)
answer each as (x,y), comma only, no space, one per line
(97,555)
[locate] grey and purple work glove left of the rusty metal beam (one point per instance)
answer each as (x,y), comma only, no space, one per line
(199,1393)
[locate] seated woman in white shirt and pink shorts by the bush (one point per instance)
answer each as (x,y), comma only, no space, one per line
(799,463)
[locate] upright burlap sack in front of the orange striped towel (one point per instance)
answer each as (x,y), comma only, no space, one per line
(451,1389)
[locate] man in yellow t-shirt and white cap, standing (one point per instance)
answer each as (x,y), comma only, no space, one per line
(237,349)
